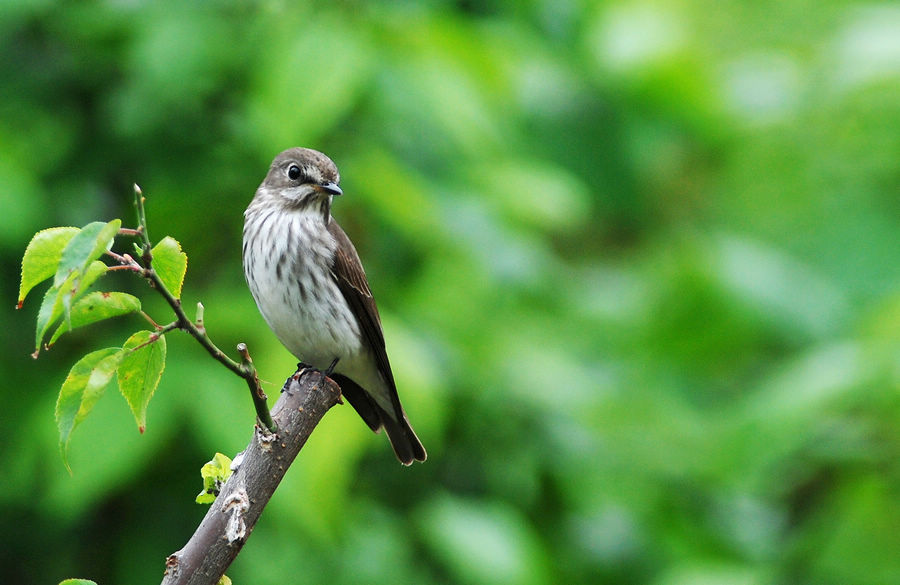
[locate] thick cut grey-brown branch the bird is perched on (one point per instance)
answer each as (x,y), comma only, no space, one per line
(307,396)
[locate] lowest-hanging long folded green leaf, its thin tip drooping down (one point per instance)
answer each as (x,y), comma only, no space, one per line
(84,385)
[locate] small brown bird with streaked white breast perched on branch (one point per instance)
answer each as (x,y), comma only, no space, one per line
(310,287)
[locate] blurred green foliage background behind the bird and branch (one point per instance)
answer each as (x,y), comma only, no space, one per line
(637,262)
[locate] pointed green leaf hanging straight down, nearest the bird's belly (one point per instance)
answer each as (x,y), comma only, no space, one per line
(140,371)
